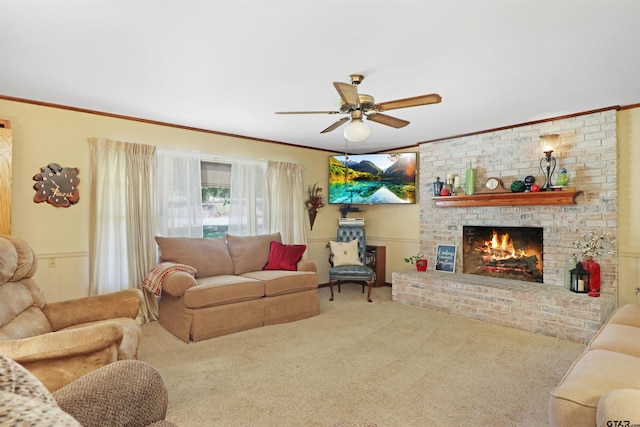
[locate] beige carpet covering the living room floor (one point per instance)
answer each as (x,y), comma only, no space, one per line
(362,364)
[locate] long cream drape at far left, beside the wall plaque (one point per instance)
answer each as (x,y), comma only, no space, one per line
(123,218)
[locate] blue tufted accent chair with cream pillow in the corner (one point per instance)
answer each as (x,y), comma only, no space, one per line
(348,259)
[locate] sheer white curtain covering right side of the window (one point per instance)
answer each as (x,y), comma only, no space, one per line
(246,211)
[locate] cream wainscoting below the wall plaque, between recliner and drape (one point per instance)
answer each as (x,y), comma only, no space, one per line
(63,276)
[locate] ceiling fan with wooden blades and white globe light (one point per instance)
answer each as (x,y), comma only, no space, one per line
(357,106)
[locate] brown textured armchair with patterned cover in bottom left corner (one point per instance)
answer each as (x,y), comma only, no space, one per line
(125,393)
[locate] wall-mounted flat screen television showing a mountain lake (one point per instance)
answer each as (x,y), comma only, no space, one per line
(373,178)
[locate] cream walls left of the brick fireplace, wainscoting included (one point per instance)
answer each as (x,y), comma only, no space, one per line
(59,236)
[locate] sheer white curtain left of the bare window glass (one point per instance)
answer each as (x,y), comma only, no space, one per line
(179,193)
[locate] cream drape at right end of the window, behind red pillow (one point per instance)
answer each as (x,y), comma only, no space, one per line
(285,209)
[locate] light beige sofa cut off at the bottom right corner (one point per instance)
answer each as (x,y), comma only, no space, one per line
(602,387)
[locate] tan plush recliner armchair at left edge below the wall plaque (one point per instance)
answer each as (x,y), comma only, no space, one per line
(61,341)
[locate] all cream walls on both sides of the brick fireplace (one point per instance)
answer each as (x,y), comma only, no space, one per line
(43,135)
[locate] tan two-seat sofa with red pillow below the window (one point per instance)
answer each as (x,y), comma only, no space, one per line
(231,290)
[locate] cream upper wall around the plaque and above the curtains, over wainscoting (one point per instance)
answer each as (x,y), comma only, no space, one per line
(44,135)
